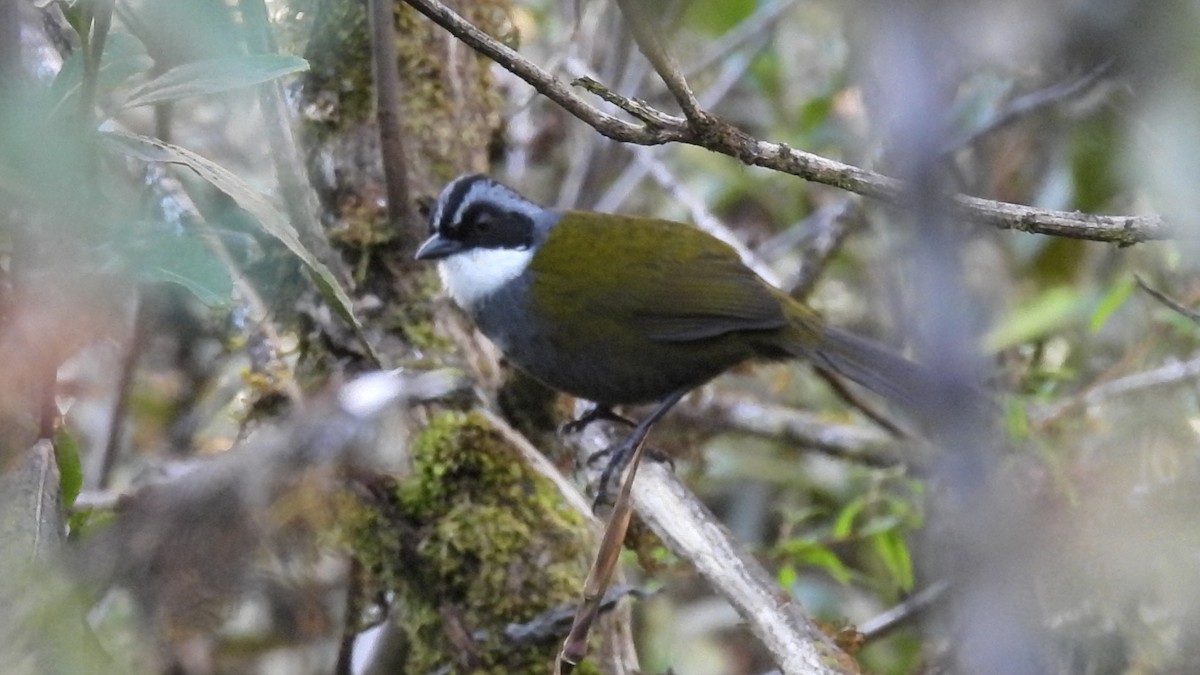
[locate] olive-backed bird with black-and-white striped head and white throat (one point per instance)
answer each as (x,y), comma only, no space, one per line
(622,310)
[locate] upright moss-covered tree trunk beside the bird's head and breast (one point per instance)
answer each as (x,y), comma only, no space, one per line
(473,541)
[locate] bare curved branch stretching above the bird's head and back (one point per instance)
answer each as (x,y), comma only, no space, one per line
(719,136)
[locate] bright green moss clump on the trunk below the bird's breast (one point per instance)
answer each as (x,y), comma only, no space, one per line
(472,530)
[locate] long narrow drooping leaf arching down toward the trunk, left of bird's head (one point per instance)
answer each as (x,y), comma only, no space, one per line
(257,205)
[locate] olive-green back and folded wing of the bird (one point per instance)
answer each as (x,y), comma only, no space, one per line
(669,280)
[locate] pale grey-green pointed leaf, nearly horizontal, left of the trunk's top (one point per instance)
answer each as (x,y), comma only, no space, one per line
(214,76)
